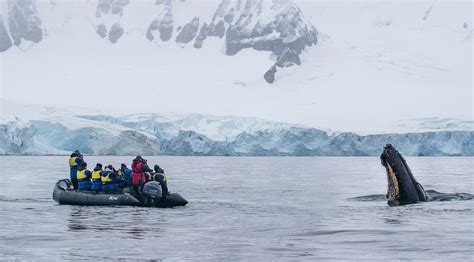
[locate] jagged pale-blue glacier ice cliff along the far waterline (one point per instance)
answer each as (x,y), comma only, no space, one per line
(46,130)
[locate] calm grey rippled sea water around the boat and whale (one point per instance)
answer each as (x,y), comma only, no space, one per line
(242,209)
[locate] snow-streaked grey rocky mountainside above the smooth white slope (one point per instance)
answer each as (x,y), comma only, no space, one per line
(277,26)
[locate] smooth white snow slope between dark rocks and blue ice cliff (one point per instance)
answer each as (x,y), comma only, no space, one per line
(375,63)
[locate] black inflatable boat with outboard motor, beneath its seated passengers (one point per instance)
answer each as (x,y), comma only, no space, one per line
(151,196)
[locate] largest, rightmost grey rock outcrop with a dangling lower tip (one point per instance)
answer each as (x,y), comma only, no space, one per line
(286,36)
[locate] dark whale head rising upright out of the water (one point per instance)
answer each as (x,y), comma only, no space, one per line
(402,188)
